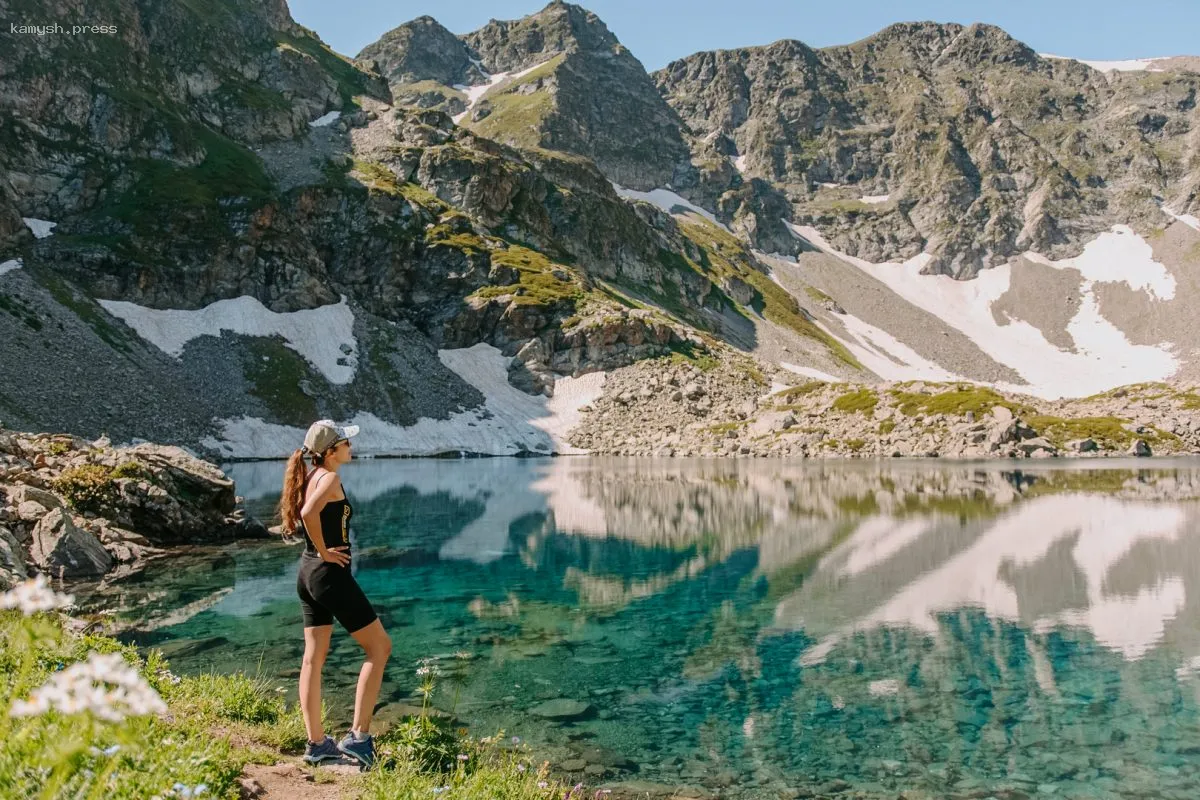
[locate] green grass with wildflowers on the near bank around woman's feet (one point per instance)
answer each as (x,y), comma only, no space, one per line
(215,725)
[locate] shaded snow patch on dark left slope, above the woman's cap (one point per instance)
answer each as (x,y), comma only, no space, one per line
(316,334)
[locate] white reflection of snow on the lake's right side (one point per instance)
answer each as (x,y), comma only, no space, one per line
(1107,530)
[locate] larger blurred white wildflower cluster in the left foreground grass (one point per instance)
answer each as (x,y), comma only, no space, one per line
(104,685)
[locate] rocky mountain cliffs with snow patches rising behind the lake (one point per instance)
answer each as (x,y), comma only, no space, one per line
(214,228)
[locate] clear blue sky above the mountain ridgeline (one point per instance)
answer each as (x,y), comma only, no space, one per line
(662,31)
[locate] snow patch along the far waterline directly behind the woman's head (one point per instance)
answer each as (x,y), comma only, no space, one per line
(509,423)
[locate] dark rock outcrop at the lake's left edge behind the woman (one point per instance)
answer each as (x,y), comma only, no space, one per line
(81,510)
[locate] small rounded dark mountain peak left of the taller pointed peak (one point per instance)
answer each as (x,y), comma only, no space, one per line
(422,50)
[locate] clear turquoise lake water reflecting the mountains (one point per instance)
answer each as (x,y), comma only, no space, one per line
(753,628)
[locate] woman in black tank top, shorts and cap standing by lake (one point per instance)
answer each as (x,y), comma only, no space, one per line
(316,503)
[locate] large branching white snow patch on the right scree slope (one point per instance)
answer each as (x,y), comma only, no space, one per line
(1105,357)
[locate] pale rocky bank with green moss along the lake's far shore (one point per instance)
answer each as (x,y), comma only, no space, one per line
(728,407)
